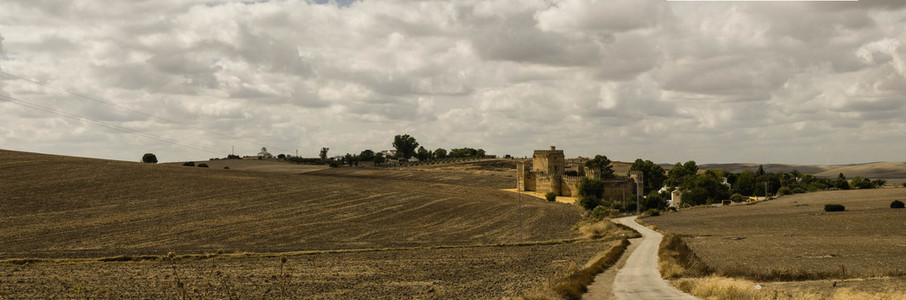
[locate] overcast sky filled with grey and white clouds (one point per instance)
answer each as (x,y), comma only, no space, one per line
(714,82)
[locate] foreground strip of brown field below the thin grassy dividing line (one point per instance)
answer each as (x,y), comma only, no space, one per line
(465,273)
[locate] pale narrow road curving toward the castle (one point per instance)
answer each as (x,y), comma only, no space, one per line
(639,278)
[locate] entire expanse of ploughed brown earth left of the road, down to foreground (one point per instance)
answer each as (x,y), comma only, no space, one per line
(76,227)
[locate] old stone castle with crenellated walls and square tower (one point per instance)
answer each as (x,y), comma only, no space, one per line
(548,173)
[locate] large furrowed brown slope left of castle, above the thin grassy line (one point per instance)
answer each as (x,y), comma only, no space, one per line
(55,206)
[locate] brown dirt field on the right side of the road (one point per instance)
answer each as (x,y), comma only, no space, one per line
(794,235)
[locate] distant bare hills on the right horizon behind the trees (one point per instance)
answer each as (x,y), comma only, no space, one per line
(870,170)
